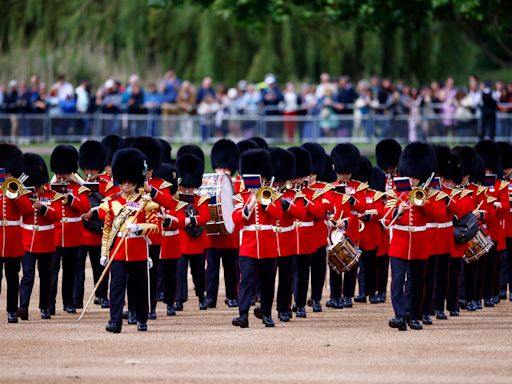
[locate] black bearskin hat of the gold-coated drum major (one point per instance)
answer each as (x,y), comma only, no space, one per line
(129,164)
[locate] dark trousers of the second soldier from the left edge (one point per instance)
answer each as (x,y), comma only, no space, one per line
(44,262)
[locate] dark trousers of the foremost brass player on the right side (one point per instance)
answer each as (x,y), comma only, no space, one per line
(407,286)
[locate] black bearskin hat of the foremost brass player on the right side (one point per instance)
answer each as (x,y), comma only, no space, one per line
(418,160)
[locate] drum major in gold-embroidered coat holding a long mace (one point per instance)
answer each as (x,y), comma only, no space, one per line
(130,218)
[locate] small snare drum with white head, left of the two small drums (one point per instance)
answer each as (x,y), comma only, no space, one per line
(342,253)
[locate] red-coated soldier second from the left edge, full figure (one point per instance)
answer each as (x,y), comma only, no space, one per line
(38,234)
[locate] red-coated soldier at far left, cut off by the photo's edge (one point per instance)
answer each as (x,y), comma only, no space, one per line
(13,205)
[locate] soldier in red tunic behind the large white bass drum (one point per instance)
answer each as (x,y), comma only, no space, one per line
(224,159)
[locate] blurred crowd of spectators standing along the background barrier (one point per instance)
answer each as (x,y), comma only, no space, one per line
(335,107)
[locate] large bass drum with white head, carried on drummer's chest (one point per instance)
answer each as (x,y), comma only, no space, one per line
(220,190)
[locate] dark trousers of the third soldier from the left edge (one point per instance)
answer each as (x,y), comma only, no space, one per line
(69,256)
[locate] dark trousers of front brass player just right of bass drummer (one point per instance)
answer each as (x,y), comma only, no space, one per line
(266,270)
